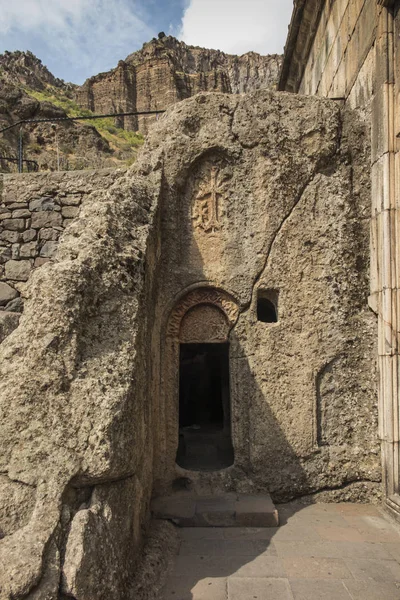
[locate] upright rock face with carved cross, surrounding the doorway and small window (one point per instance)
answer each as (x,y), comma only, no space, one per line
(291,221)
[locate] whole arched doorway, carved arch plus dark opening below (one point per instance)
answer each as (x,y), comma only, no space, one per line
(200,325)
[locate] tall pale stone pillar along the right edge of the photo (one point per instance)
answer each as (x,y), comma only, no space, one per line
(385,246)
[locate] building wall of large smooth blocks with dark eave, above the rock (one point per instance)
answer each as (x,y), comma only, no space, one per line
(331,51)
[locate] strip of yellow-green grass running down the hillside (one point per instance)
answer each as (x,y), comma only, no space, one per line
(118,138)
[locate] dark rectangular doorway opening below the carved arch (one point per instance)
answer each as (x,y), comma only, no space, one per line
(205,442)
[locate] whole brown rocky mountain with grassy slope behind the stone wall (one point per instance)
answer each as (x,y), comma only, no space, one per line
(162,73)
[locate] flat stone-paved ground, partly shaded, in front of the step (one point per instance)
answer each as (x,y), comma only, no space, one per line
(320,552)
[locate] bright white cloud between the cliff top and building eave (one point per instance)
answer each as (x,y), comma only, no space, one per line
(237,26)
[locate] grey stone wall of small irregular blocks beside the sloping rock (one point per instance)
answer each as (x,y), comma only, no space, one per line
(34,211)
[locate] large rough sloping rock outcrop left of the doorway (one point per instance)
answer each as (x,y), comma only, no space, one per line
(57,444)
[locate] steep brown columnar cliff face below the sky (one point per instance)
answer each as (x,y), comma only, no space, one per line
(165,71)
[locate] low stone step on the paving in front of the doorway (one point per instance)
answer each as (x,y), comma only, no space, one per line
(228,510)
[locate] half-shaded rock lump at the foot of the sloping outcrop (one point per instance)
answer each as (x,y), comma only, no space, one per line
(91,555)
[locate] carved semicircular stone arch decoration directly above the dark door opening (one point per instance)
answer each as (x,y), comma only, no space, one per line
(215,308)
